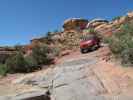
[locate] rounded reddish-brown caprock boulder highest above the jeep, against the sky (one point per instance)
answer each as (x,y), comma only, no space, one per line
(75,24)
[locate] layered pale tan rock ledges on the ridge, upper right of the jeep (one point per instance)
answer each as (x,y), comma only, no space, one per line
(108,28)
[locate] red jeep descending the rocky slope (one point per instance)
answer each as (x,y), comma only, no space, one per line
(89,43)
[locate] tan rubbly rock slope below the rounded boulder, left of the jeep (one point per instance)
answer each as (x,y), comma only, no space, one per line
(63,40)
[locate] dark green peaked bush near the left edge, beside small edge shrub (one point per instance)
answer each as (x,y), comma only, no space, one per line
(17,63)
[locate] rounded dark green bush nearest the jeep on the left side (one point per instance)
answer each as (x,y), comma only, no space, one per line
(41,54)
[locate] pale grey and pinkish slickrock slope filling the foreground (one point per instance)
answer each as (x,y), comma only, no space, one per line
(75,77)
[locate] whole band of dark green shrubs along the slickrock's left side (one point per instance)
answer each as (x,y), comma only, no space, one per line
(41,55)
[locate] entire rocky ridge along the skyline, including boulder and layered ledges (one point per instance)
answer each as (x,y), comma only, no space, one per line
(74,28)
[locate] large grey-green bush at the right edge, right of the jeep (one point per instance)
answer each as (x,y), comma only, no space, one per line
(121,44)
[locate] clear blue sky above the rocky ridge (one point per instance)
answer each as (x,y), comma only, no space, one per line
(23,20)
